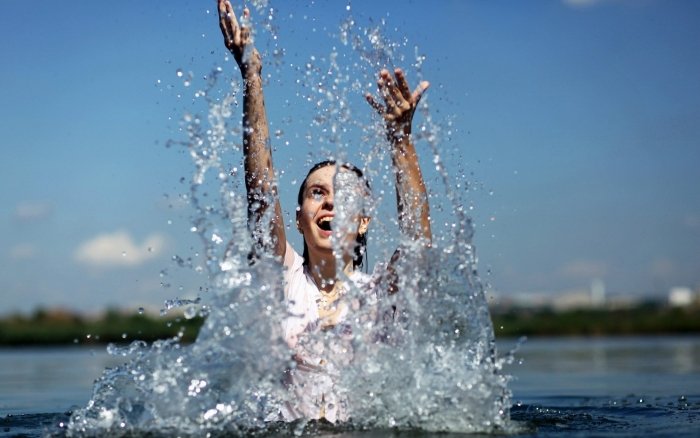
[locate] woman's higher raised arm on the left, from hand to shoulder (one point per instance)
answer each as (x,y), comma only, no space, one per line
(261,185)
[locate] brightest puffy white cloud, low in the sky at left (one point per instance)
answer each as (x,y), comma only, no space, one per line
(118,249)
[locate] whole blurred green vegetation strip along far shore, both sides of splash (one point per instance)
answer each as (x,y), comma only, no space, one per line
(57,327)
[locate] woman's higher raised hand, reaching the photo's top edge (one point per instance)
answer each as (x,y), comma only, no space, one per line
(237,38)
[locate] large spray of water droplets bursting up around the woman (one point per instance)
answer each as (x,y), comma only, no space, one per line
(423,358)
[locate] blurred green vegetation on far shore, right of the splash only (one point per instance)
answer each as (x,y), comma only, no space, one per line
(644,319)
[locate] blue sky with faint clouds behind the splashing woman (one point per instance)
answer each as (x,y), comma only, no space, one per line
(576,123)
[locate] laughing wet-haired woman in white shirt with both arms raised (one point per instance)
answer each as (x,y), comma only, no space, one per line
(312,286)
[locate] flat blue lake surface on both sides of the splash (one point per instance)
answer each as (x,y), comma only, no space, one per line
(627,386)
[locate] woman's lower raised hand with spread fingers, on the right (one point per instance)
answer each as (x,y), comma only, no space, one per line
(400,103)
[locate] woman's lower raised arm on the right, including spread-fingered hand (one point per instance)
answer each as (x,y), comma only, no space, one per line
(411,194)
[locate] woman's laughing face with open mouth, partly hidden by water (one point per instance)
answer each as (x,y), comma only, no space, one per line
(317,212)
